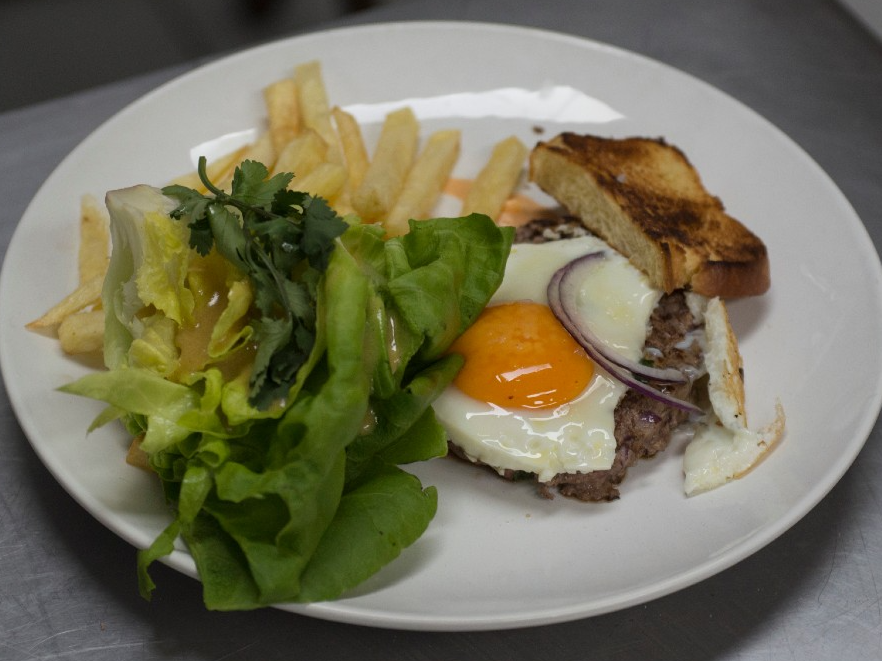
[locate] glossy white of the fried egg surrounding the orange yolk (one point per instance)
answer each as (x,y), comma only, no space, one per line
(616,300)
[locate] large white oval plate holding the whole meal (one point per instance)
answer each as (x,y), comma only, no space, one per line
(498,556)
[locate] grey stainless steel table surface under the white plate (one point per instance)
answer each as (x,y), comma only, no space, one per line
(67,586)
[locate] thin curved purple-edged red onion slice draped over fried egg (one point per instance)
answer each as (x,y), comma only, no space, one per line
(562,291)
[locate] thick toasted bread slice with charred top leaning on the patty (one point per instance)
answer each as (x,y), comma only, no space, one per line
(643,197)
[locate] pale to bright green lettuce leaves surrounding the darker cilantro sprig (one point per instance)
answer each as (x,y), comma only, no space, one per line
(304,500)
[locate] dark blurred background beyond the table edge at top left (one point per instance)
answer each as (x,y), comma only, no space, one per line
(49,48)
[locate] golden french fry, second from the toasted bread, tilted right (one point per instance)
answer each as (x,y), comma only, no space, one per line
(425,181)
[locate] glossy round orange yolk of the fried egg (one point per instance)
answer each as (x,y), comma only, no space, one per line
(519,355)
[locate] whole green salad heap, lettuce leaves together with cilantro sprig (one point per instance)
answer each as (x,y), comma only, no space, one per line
(278,365)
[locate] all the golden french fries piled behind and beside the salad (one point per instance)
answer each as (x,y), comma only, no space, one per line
(323,146)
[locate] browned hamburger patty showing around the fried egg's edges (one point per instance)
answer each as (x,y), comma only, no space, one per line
(643,425)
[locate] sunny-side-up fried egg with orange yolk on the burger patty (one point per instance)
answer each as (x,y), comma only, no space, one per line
(528,398)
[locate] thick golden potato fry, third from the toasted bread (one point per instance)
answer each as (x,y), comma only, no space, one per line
(392,160)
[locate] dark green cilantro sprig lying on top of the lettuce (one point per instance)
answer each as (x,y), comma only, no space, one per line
(282,239)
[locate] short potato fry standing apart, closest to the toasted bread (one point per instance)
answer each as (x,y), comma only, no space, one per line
(497,180)
